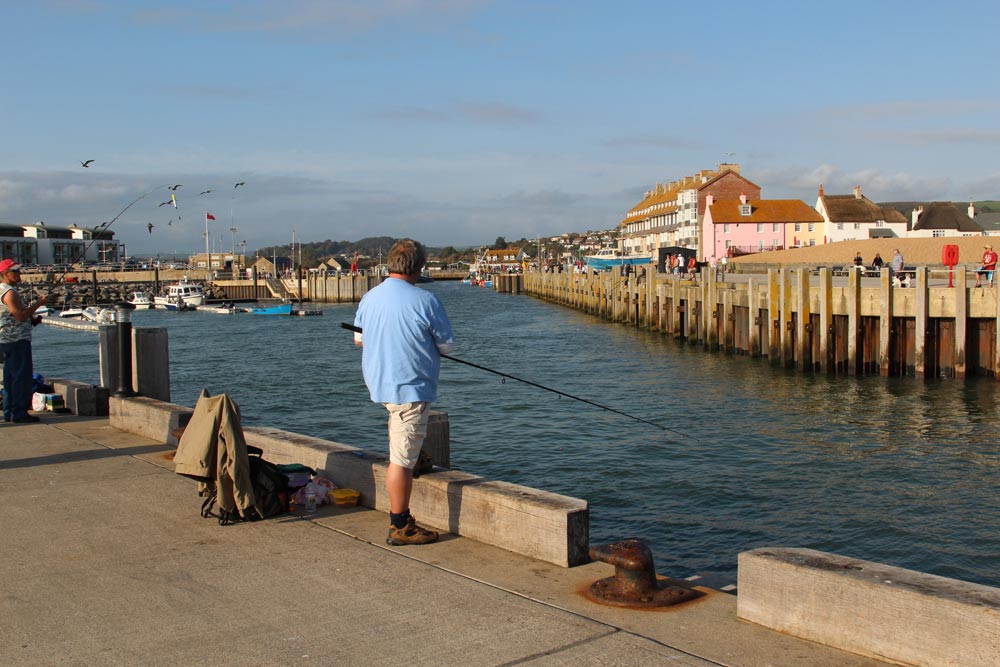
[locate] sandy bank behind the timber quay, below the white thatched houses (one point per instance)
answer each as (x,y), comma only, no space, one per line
(916,252)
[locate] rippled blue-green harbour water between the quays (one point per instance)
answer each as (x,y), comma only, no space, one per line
(893,470)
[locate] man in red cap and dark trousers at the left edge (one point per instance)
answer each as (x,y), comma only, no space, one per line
(16,320)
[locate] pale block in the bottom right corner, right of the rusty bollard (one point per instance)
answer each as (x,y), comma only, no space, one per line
(872,609)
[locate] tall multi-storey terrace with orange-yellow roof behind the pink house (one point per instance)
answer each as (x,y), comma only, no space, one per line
(670,215)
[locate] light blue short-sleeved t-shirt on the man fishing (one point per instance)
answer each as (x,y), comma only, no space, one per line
(403,328)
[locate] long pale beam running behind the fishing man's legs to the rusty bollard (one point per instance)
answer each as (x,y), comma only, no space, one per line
(542,525)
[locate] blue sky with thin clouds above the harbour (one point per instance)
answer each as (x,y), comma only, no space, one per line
(457,121)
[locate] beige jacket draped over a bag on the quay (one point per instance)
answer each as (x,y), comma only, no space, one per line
(214,452)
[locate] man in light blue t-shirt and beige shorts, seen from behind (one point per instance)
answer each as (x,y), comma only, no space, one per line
(404,331)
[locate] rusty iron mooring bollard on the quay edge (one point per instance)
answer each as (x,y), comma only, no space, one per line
(635,583)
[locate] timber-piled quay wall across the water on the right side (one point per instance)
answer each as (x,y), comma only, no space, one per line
(804,322)
